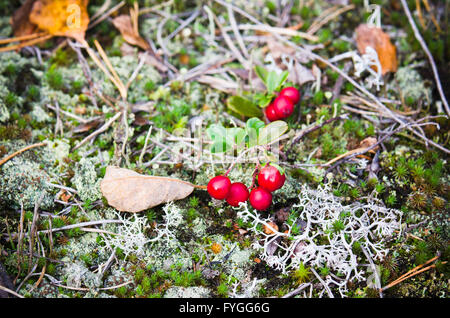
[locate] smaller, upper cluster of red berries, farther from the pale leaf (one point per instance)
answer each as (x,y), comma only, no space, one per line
(283,105)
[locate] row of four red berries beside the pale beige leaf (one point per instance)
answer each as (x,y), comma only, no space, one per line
(269,180)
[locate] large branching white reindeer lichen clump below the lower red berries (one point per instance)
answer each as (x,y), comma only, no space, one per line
(329,232)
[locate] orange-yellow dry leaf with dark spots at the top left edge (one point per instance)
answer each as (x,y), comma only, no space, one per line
(61,18)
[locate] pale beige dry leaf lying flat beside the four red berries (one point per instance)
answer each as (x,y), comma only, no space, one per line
(129,191)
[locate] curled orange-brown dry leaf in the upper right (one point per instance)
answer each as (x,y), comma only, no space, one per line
(377,39)
